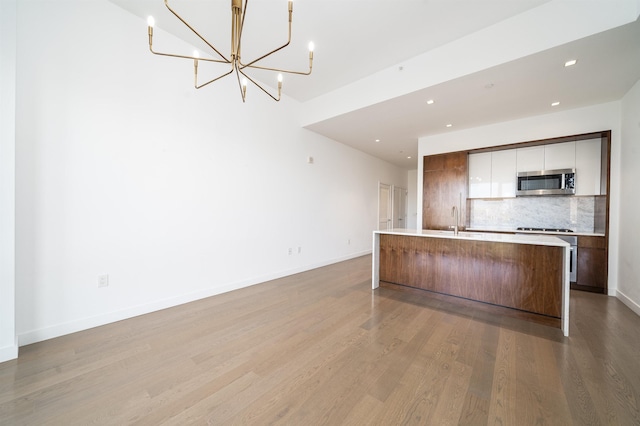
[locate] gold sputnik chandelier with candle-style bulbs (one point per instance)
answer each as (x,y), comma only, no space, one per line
(237,67)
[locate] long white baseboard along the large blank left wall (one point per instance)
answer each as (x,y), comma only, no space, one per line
(58,330)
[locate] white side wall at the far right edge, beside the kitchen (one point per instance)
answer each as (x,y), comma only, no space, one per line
(629,252)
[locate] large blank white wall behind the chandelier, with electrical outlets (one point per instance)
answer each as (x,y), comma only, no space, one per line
(124,169)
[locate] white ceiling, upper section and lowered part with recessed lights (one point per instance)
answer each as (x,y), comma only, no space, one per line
(357,38)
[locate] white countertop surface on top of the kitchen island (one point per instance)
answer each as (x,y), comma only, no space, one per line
(533,239)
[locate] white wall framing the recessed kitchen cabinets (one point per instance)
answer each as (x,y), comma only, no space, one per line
(571,122)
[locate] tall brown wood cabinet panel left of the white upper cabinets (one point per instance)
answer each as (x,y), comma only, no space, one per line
(444,186)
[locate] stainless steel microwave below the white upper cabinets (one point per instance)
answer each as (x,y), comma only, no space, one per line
(547,182)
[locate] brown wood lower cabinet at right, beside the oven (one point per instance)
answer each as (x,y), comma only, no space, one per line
(592,264)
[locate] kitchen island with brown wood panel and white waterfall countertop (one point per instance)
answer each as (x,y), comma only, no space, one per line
(529,273)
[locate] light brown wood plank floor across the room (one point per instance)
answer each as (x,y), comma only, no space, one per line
(321,348)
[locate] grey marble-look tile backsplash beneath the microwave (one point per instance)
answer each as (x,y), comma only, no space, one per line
(575,213)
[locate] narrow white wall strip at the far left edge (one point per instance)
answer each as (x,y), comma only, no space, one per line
(8,342)
